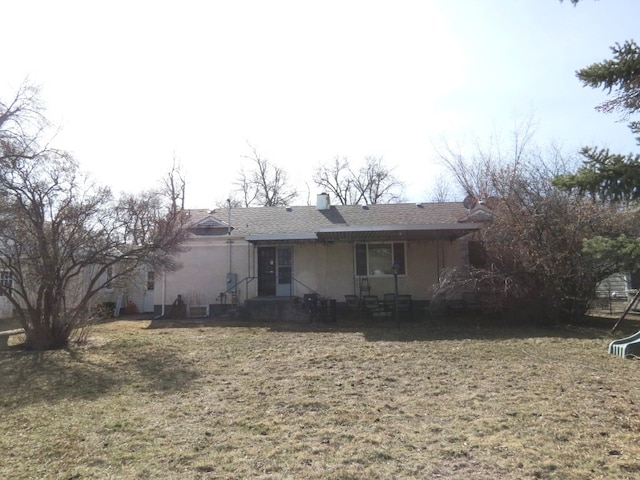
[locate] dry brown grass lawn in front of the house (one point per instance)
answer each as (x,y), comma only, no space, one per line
(211,401)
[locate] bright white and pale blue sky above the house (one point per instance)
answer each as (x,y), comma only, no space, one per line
(130,83)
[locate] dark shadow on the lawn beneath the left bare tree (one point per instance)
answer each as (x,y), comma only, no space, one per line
(54,376)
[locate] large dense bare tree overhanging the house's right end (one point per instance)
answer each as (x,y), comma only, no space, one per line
(534,244)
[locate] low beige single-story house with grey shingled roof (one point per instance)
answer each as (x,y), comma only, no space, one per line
(235,256)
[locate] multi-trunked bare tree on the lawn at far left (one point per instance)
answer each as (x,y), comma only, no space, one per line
(63,238)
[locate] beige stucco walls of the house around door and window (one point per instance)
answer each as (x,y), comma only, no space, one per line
(325,268)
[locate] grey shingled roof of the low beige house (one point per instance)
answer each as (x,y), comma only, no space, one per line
(404,221)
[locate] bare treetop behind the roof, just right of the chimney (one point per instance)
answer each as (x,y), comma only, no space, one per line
(373,183)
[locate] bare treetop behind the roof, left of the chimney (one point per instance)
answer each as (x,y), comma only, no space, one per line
(265,184)
